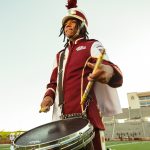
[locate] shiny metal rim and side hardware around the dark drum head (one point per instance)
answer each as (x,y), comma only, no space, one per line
(78,139)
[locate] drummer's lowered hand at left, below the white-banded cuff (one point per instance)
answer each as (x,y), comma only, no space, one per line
(46,103)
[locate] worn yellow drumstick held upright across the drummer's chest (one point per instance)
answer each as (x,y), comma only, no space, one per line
(90,83)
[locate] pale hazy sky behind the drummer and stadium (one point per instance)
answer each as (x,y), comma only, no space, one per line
(29,40)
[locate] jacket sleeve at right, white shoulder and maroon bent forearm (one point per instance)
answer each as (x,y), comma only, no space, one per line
(117,78)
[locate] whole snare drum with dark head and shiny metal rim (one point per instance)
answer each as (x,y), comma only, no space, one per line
(67,134)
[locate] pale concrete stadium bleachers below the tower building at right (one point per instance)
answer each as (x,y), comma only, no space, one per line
(131,124)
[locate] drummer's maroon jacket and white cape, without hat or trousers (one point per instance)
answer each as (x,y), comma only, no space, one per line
(76,56)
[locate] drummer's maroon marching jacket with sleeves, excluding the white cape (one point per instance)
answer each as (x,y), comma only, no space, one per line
(76,56)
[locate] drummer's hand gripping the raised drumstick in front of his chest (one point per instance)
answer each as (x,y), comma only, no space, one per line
(103,74)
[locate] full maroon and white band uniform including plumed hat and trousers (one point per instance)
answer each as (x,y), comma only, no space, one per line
(104,99)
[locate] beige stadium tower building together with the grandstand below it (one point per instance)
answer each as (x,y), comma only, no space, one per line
(134,122)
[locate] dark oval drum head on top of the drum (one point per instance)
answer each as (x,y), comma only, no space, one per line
(50,132)
